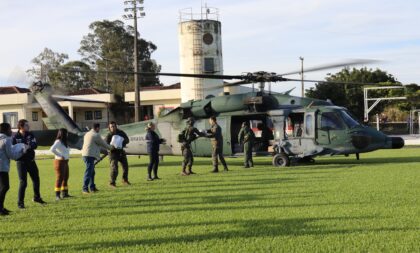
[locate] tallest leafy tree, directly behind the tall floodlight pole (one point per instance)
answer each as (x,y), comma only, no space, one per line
(109,47)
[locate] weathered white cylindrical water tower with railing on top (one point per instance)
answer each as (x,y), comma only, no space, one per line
(200,49)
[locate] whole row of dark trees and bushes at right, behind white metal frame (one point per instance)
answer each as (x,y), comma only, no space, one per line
(351,95)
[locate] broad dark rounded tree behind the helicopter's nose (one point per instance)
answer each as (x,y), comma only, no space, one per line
(351,96)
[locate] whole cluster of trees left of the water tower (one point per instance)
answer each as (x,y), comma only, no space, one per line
(109,46)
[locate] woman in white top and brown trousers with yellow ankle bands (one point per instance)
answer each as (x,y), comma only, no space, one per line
(61,150)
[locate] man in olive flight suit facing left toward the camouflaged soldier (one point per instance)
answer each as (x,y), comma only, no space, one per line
(215,133)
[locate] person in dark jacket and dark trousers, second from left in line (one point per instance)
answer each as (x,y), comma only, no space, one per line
(26,164)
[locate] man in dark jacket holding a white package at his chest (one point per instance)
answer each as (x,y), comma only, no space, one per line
(118,154)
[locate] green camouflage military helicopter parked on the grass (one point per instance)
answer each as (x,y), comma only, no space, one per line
(299,128)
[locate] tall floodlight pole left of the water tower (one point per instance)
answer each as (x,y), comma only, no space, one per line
(132,10)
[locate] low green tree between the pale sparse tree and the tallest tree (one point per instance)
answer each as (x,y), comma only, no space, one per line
(72,81)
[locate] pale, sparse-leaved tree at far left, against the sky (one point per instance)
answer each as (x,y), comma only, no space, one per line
(44,63)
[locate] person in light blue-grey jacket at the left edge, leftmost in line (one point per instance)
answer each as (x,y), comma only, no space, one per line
(7,152)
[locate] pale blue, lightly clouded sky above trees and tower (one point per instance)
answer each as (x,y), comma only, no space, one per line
(267,35)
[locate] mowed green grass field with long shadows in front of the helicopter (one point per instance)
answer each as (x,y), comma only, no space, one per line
(335,205)
